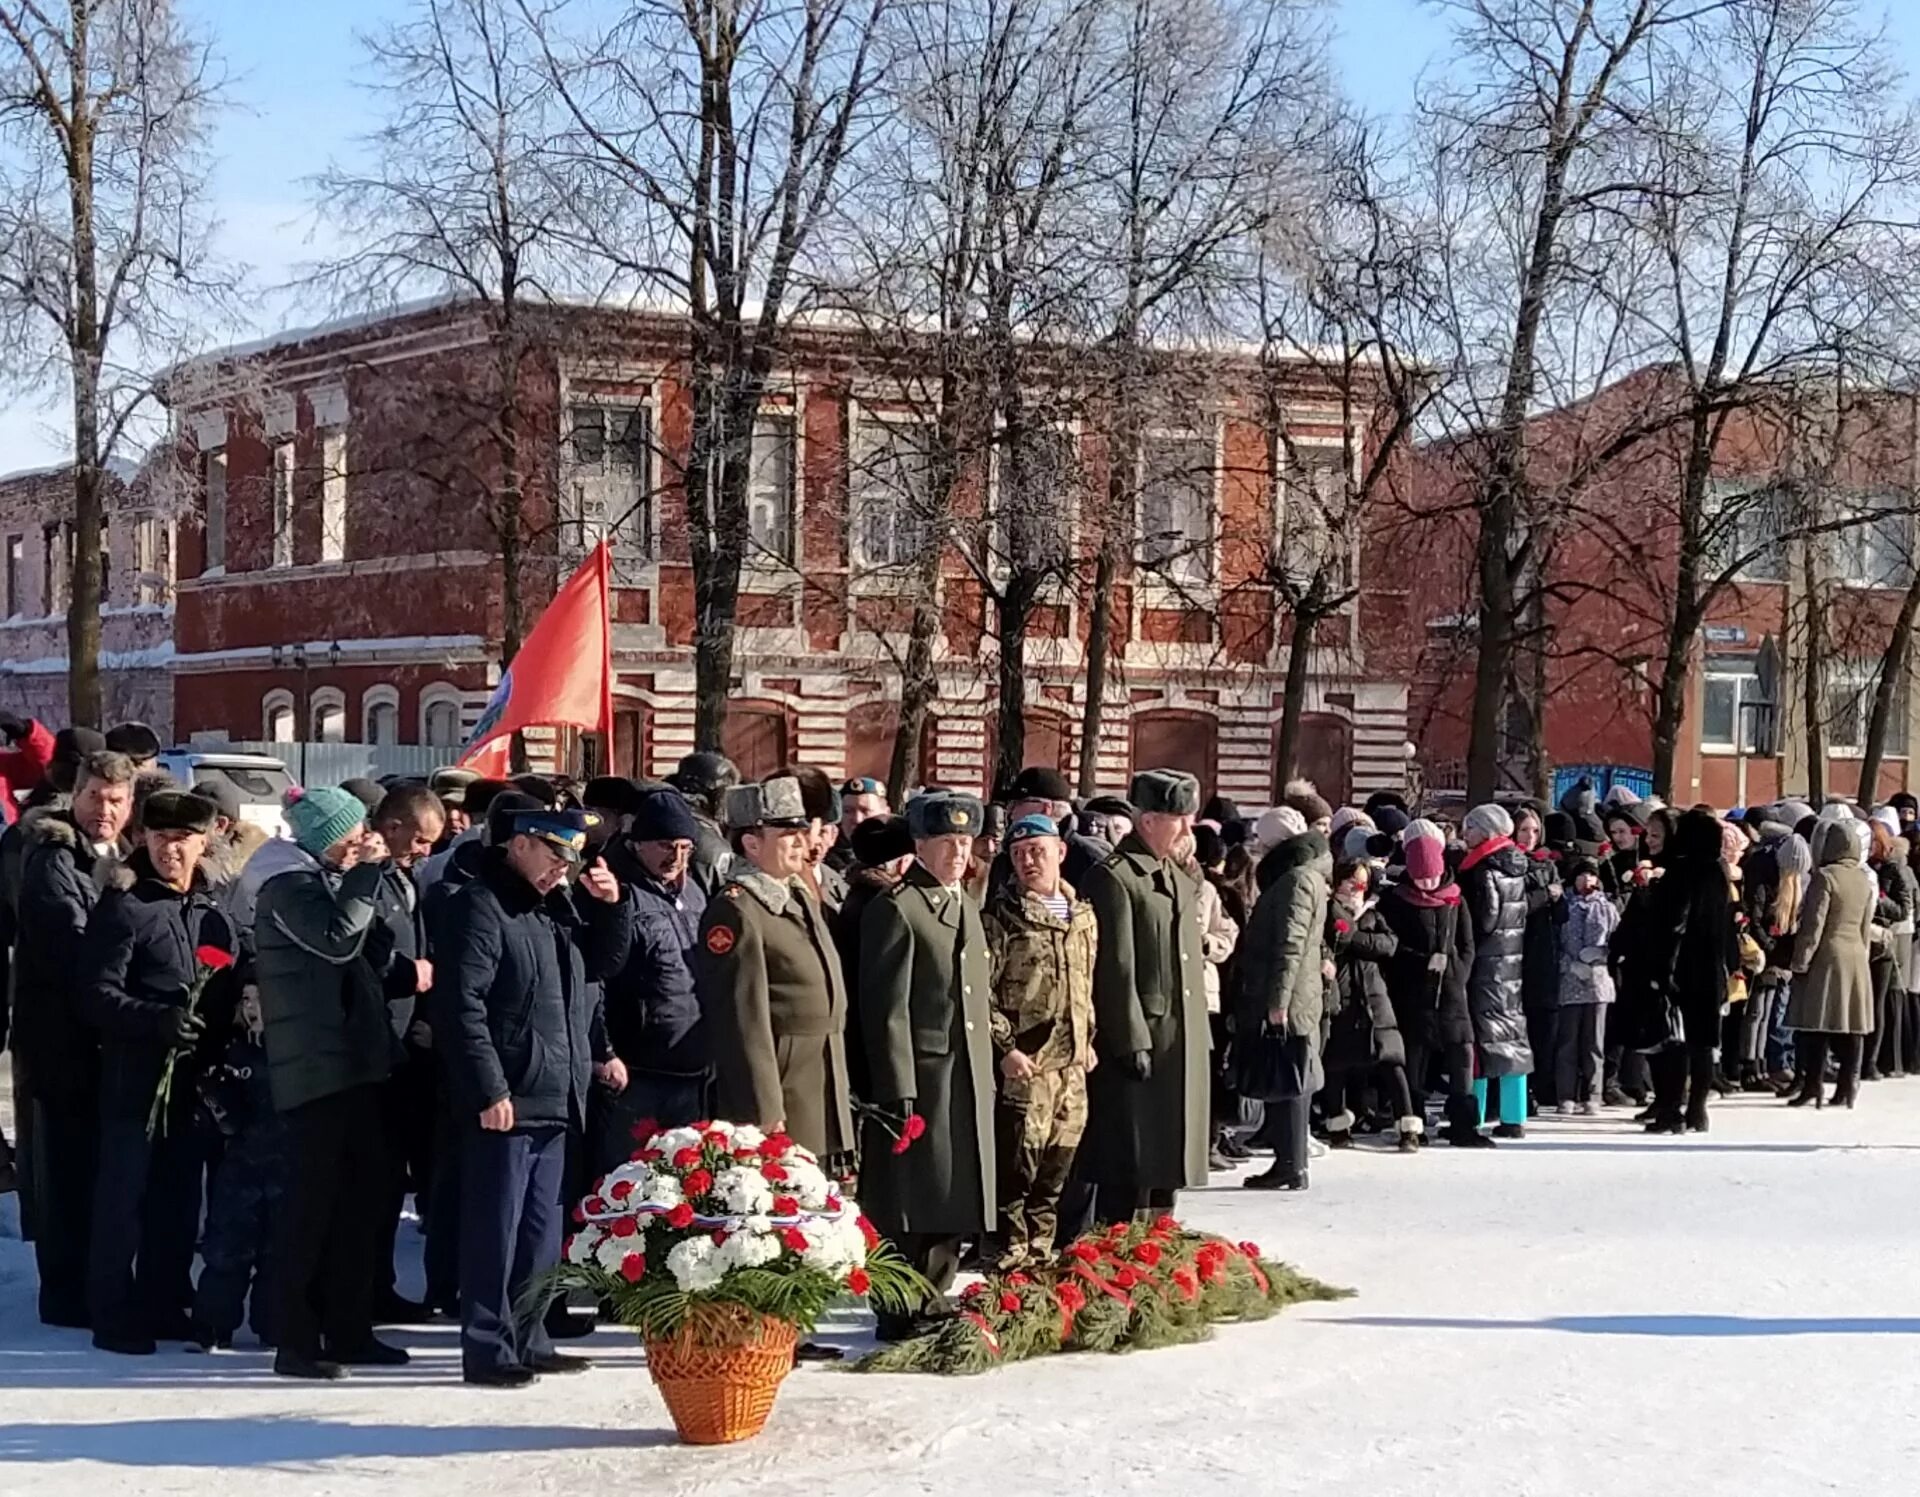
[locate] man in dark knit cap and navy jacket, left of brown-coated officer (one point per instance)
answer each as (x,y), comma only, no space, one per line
(654,1009)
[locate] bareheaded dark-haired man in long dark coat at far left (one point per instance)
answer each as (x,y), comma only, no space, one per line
(68,855)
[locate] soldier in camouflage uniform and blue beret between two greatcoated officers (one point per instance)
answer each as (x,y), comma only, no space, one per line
(1044,941)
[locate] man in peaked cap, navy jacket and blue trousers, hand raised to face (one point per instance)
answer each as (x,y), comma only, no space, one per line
(521,1041)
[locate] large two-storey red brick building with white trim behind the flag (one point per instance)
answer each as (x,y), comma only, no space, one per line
(339,575)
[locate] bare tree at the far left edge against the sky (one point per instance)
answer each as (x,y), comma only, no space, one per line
(105,237)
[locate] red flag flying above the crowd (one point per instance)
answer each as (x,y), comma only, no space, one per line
(562,677)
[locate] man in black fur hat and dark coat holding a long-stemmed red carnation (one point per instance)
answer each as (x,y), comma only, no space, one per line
(155,939)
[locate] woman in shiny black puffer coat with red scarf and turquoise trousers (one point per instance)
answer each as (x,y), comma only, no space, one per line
(1493,880)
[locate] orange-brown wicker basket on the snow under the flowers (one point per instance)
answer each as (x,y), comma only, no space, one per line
(721,1377)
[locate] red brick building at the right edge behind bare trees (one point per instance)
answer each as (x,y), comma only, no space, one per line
(1614,573)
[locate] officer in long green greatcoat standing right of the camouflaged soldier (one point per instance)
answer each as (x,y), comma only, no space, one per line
(1147,1105)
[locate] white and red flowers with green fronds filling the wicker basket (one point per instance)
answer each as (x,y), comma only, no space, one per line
(725,1216)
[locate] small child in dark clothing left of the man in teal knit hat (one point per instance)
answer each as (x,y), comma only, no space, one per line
(237,1103)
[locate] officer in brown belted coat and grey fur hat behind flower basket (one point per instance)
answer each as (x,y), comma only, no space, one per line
(771,982)
